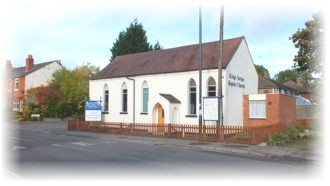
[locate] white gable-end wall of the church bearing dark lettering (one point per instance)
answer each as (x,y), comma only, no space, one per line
(241,66)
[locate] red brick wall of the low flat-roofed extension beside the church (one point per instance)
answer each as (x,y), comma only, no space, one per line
(279,109)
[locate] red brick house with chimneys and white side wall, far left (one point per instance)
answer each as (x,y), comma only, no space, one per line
(18,80)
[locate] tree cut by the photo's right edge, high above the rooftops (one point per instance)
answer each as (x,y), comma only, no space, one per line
(310,42)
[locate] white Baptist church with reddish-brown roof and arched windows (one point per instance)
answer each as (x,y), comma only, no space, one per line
(162,86)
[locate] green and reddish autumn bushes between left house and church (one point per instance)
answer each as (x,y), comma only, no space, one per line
(64,96)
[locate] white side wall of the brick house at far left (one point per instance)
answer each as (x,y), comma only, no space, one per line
(41,76)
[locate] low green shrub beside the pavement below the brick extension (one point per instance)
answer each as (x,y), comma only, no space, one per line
(291,135)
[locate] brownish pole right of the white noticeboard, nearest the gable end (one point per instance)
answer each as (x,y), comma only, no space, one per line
(220,110)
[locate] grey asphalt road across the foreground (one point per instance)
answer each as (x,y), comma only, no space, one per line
(50,151)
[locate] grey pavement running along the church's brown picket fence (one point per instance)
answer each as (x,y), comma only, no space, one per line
(311,153)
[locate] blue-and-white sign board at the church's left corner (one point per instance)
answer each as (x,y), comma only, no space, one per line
(93,111)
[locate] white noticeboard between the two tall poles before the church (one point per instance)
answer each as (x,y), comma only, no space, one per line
(210,108)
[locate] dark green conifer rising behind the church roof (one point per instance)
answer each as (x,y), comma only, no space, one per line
(133,40)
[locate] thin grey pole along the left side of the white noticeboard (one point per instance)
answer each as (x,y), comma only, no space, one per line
(200,122)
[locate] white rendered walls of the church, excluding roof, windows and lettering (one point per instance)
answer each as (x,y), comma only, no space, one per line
(177,85)
